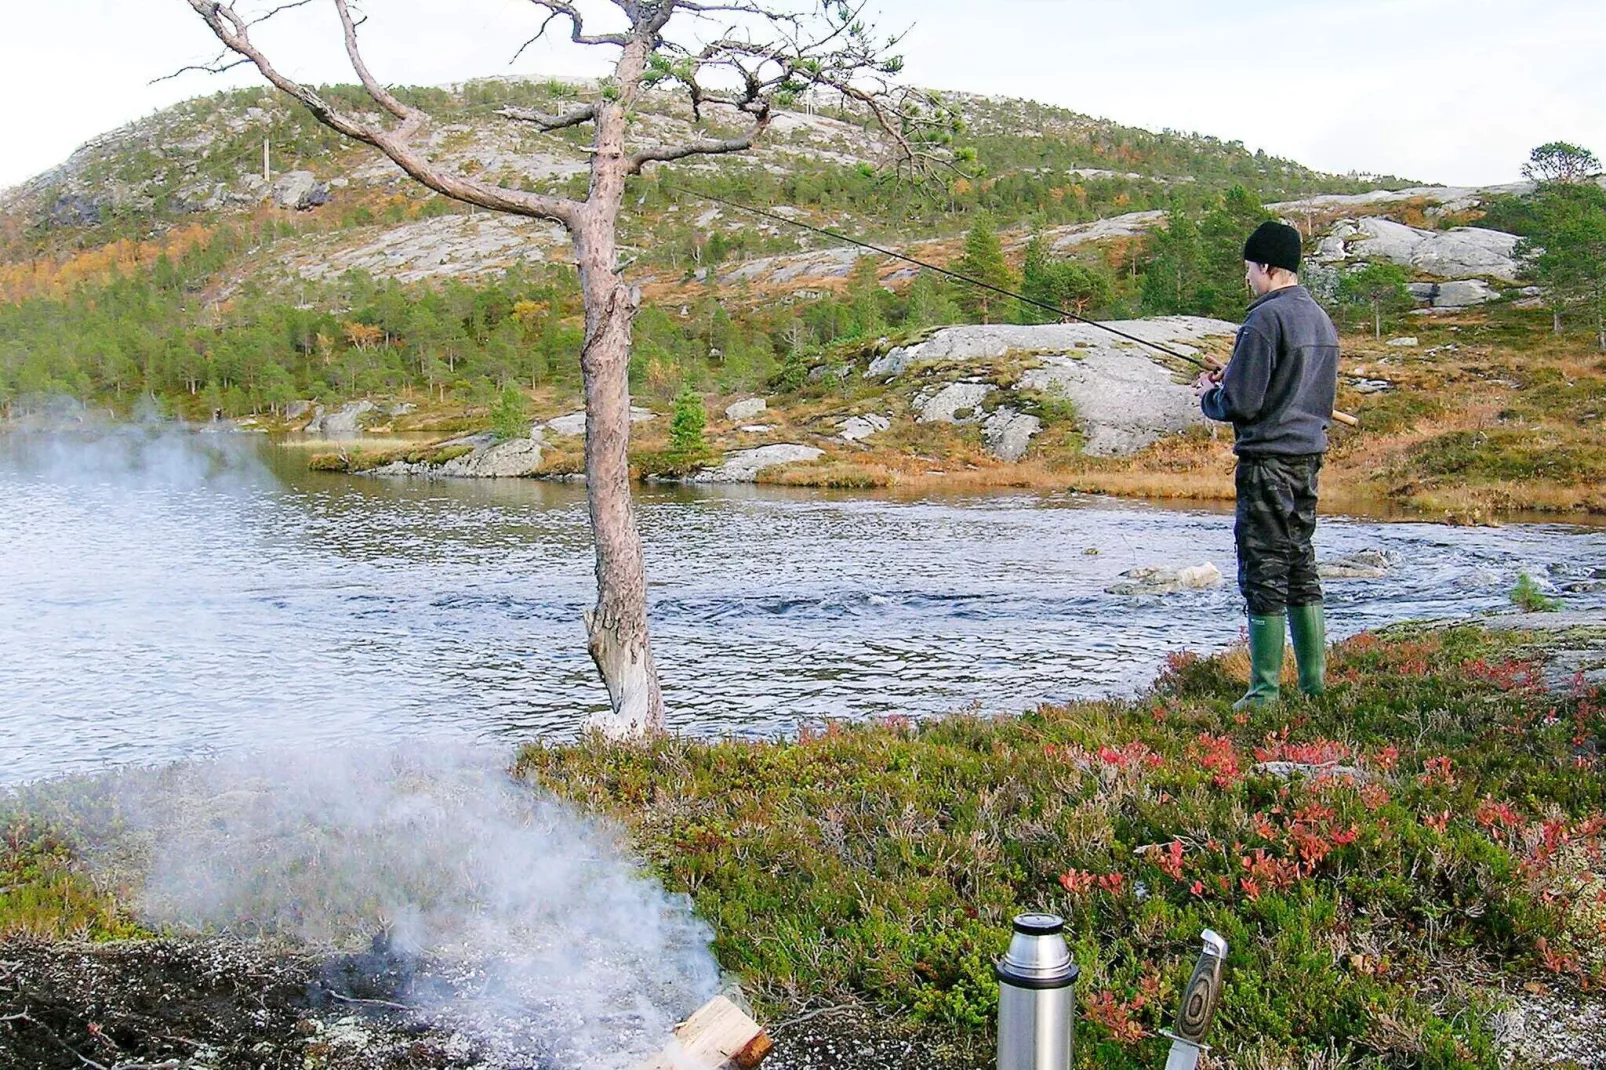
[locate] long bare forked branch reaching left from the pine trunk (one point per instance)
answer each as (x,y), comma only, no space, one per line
(235,33)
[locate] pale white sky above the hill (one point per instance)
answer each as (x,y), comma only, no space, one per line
(1441,91)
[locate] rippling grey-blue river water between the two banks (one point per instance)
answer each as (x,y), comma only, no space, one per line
(169,595)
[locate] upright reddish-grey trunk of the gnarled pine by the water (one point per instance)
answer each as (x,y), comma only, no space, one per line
(618,627)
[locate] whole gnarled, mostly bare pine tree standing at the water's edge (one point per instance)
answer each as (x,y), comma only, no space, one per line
(741,59)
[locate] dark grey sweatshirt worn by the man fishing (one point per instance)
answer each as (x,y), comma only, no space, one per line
(1281,385)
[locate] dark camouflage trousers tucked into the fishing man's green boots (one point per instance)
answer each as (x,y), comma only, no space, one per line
(1274,528)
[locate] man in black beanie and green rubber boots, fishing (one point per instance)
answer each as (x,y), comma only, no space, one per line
(1278,391)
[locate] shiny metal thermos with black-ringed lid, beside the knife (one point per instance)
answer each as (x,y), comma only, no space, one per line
(1037,997)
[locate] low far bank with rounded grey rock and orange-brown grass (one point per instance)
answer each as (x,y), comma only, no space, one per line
(1472,417)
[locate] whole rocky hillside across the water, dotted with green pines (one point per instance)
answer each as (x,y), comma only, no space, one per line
(335,295)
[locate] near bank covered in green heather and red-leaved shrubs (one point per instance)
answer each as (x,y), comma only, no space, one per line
(1400,867)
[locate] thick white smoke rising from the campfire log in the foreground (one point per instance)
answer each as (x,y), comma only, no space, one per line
(486,905)
